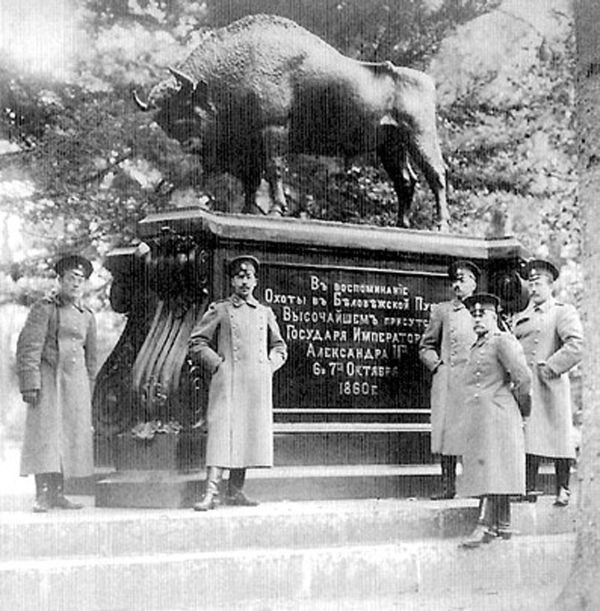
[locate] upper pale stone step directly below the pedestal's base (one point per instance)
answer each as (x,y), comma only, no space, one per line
(119,532)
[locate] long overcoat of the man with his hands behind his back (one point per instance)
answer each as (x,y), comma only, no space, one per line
(494,456)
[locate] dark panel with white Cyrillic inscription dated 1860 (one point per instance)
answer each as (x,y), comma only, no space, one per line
(352,334)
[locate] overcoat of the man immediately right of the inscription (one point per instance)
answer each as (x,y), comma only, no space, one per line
(444,349)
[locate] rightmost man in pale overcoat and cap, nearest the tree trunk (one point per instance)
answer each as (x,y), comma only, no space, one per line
(551,335)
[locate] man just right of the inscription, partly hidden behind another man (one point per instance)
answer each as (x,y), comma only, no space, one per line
(444,349)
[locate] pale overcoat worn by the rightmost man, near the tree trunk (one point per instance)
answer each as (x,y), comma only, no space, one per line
(550,332)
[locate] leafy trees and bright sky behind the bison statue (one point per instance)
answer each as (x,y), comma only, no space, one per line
(79,165)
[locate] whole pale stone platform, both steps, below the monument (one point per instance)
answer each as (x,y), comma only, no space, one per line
(368,554)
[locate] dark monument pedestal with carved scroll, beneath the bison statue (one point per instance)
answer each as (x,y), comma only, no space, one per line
(352,302)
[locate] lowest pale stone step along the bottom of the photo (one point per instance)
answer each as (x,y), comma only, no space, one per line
(244,578)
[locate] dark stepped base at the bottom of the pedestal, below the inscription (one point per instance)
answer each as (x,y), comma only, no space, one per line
(312,461)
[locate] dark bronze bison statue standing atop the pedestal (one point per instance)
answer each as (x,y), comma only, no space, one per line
(263,87)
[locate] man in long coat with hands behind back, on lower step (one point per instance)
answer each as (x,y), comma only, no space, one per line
(497,386)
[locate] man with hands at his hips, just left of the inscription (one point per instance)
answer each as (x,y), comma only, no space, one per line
(239,342)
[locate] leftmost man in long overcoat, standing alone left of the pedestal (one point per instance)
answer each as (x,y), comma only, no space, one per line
(56,366)
